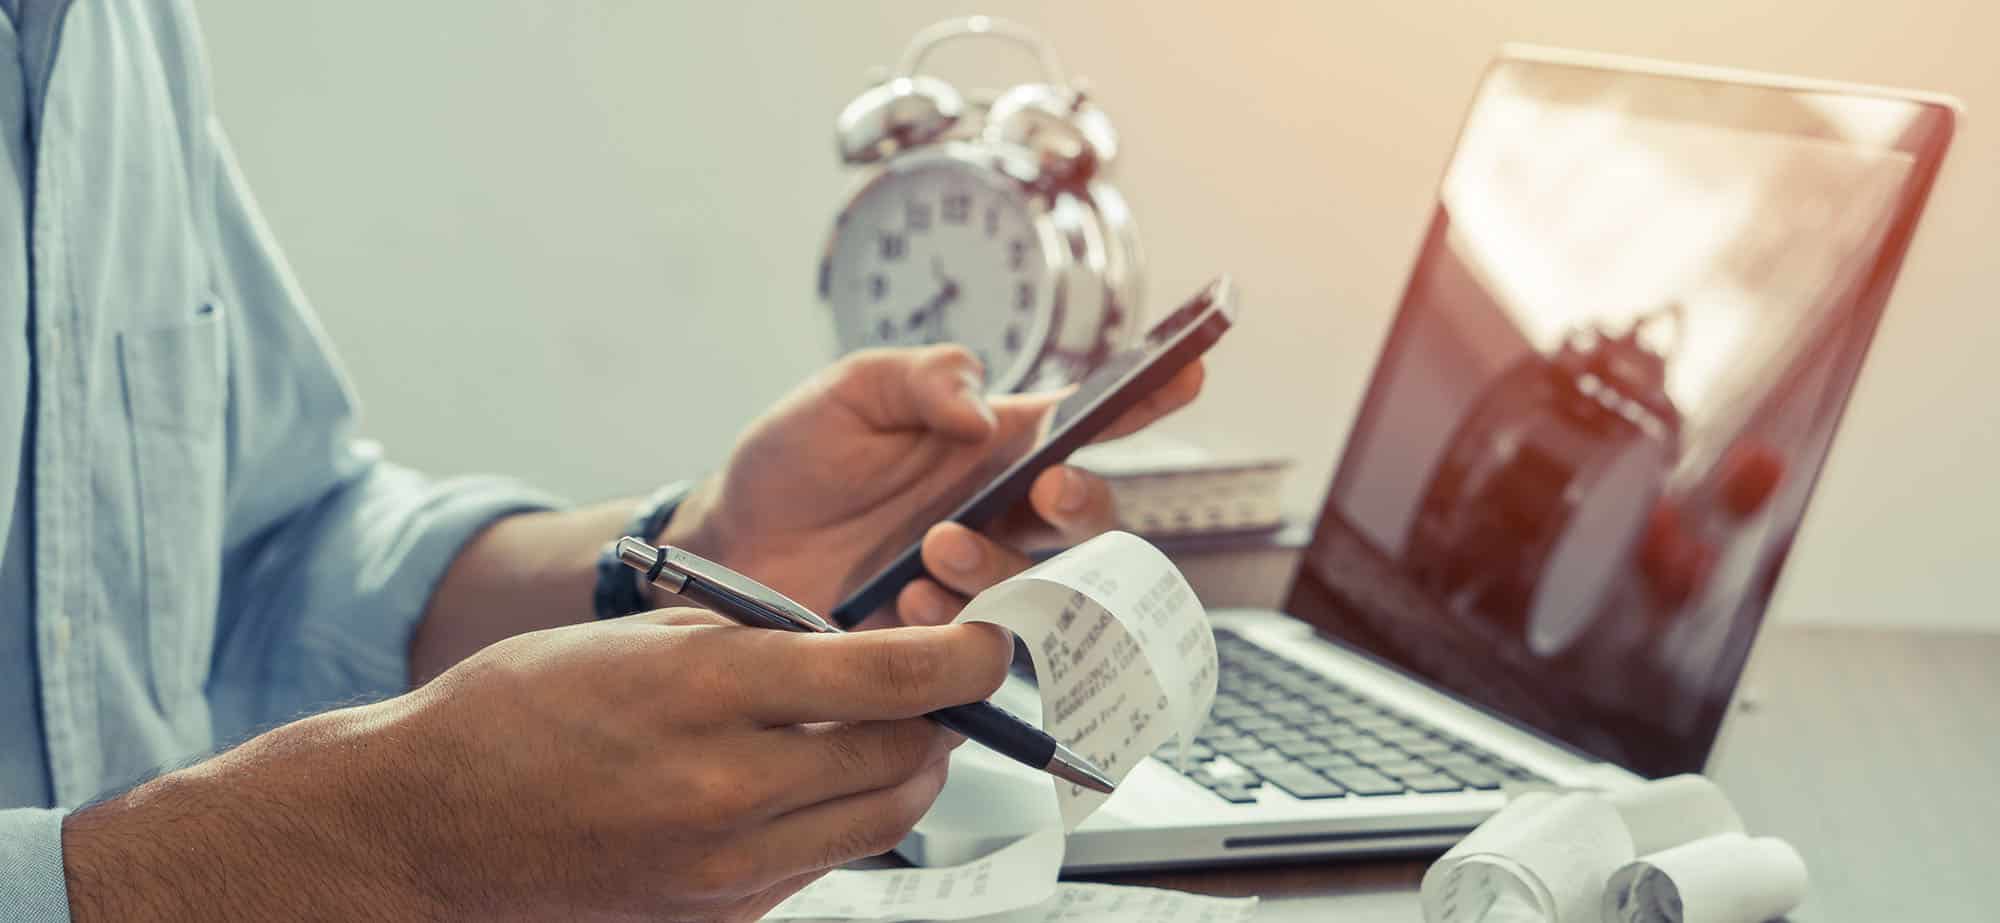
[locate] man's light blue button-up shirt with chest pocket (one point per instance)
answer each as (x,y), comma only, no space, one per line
(195,542)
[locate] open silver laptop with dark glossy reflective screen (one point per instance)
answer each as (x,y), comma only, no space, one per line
(1561,512)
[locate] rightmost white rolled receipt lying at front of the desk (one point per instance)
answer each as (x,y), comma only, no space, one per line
(1719,880)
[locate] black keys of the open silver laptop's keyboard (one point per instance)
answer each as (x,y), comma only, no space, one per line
(1293,728)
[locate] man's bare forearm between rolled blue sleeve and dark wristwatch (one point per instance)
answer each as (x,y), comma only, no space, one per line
(525,574)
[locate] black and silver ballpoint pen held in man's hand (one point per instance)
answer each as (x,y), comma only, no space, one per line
(753,604)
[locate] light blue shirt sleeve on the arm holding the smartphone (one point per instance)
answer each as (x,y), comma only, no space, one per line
(331,552)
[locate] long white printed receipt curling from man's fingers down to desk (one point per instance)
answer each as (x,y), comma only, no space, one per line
(1125,662)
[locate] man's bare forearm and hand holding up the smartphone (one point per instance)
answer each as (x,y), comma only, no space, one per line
(817,496)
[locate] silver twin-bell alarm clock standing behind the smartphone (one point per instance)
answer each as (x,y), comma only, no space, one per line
(983,219)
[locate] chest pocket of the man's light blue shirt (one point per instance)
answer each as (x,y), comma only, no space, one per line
(175,383)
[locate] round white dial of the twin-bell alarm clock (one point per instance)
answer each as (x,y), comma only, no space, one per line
(945,251)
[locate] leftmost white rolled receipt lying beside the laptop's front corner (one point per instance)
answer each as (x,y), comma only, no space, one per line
(1543,858)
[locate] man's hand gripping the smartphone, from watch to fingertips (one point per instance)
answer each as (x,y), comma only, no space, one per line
(819,492)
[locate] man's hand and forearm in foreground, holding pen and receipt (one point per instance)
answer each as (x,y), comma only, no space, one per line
(643,768)
